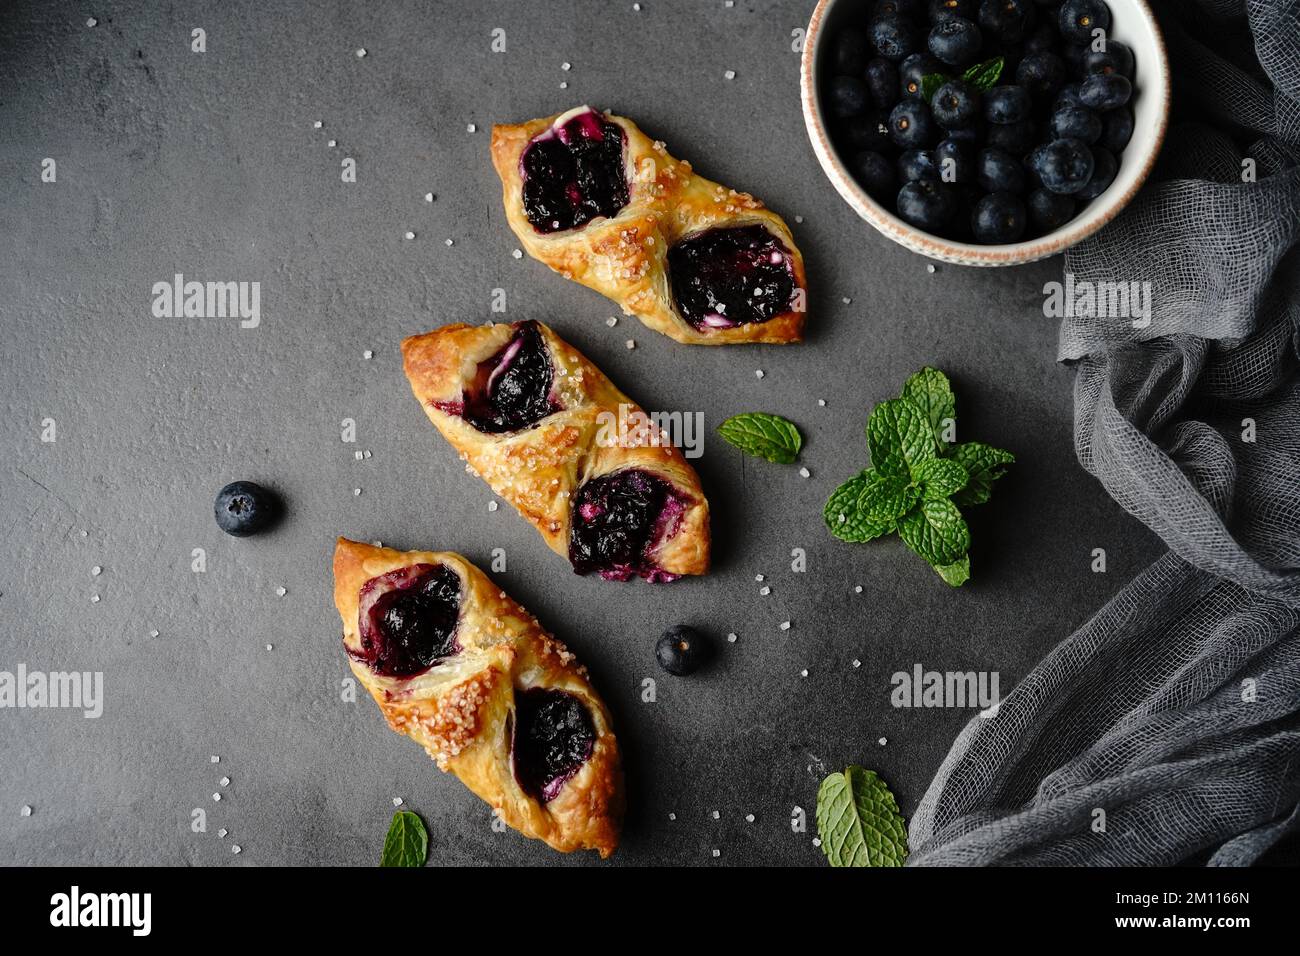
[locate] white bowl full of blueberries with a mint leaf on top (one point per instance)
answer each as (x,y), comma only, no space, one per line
(986,132)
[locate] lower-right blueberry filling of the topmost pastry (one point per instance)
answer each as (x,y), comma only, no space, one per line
(727,278)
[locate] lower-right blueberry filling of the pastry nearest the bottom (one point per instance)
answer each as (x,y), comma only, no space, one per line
(553,739)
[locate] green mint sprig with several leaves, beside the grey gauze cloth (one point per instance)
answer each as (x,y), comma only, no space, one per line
(920,479)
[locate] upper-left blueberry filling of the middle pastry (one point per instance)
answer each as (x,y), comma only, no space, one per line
(513,390)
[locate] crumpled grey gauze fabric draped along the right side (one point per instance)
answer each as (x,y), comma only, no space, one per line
(1168,729)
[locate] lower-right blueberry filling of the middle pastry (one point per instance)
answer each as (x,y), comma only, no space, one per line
(618,520)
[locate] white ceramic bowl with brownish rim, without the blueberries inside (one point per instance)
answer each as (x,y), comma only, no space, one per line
(1133,24)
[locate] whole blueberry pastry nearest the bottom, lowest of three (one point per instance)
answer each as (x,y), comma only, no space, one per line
(471,677)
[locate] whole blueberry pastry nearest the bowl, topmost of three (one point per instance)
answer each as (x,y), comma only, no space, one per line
(591,196)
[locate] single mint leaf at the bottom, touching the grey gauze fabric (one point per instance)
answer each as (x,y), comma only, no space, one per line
(859,821)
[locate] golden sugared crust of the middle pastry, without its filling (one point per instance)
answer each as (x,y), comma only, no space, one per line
(539,469)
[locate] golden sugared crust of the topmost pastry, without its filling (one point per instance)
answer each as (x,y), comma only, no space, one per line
(625,258)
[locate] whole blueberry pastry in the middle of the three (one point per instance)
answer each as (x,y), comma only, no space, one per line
(571,453)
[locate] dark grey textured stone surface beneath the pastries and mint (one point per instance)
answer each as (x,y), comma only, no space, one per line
(210,165)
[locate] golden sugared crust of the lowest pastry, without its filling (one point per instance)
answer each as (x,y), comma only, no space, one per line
(461,711)
